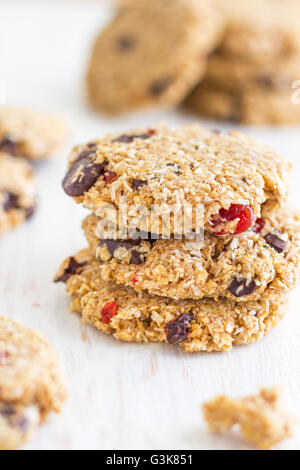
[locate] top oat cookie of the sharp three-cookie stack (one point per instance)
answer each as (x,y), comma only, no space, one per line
(162,175)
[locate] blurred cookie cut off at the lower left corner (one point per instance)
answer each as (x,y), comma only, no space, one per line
(30,383)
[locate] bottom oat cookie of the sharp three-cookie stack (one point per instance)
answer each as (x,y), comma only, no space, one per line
(195,325)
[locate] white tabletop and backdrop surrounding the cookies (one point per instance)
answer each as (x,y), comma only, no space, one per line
(121,396)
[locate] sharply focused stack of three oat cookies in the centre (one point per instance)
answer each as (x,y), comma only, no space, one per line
(223,281)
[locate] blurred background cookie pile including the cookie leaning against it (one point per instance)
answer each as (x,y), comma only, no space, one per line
(225,59)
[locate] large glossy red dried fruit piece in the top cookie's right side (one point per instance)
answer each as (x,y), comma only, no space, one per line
(242,212)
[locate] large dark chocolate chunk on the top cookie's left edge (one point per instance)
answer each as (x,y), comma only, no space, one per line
(82,174)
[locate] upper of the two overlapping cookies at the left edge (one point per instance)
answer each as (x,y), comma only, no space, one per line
(29,134)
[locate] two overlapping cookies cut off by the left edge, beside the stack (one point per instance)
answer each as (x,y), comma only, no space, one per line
(24,136)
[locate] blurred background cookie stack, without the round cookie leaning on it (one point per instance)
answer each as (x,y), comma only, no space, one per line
(250,77)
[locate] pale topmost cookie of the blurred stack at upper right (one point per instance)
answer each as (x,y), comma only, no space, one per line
(265,33)
